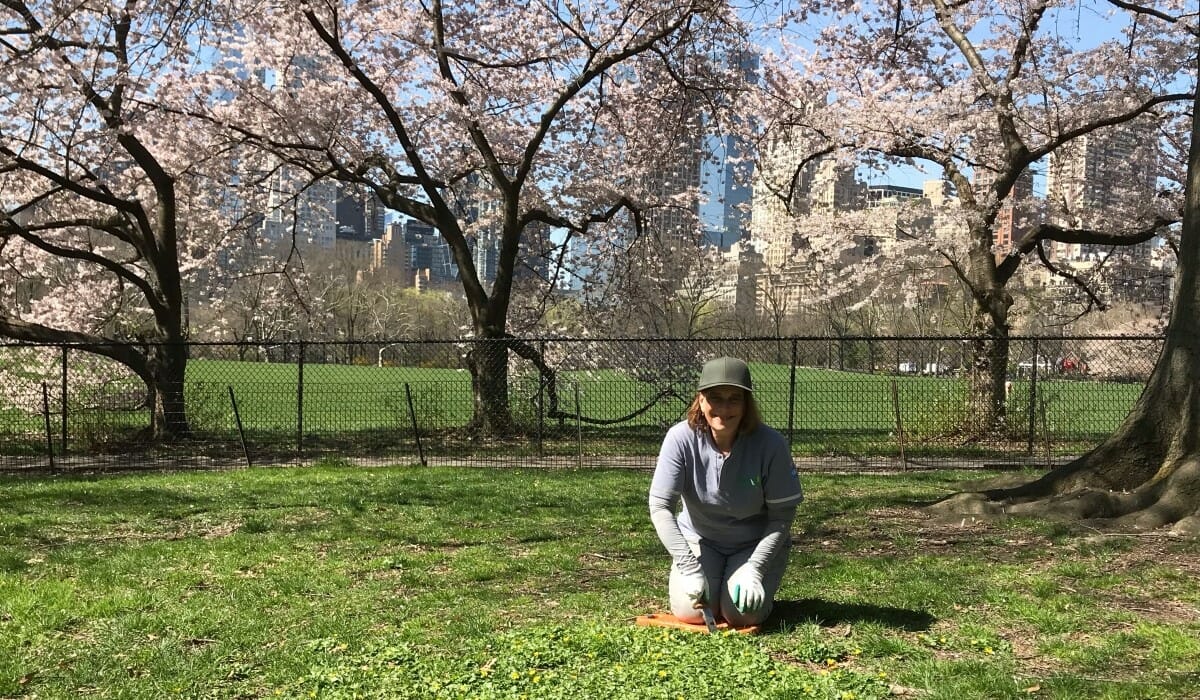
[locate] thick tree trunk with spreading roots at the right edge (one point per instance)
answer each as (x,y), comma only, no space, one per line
(1147,475)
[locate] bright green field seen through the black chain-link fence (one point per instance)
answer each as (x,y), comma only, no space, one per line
(833,411)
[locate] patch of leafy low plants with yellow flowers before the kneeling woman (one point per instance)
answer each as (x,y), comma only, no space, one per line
(575,662)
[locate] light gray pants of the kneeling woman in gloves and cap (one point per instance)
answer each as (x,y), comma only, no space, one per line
(718,569)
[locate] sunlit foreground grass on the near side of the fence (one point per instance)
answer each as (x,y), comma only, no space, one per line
(335,582)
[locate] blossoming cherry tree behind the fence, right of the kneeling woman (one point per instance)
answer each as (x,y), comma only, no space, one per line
(981,94)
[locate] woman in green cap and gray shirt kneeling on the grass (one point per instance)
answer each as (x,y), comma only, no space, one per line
(740,492)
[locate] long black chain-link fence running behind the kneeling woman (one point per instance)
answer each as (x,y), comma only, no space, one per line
(845,403)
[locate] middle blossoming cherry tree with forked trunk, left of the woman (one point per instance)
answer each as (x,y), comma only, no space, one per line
(482,119)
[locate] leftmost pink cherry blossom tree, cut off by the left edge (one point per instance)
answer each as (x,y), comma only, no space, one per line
(101,194)
